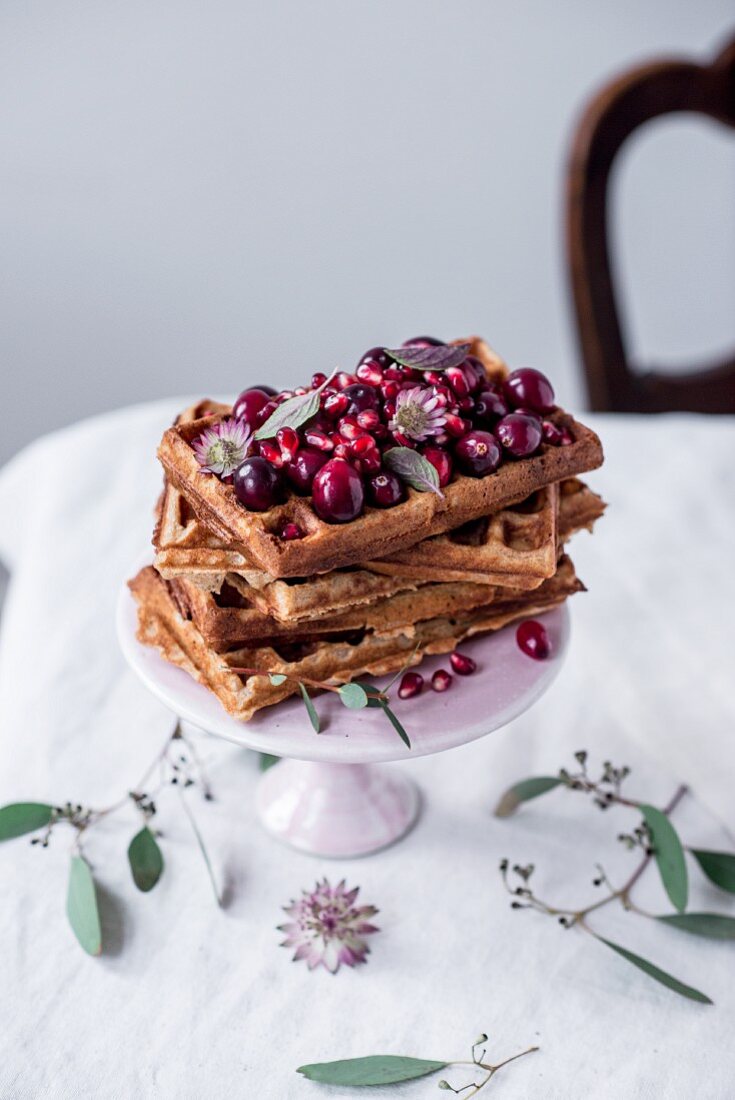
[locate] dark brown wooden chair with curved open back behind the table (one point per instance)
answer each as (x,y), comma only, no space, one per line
(624,105)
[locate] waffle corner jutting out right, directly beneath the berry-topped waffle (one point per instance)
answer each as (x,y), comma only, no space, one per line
(523,541)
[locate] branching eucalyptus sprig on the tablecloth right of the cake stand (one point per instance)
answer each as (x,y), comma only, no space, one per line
(656,838)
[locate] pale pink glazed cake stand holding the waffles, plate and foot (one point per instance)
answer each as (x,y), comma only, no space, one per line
(328,796)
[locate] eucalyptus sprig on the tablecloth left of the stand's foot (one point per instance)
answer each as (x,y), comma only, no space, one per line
(178,766)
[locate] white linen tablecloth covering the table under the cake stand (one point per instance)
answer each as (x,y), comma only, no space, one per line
(191,1002)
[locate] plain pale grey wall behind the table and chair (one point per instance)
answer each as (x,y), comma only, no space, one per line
(202,194)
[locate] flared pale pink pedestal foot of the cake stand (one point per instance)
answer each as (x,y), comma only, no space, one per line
(337,810)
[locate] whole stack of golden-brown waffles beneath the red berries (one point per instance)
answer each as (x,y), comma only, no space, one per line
(227,593)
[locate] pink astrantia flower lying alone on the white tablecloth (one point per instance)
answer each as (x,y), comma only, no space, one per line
(326,928)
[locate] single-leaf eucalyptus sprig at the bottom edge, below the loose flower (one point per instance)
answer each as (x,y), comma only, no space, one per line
(396,1070)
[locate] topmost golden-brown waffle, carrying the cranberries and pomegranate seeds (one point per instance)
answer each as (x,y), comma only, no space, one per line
(379,533)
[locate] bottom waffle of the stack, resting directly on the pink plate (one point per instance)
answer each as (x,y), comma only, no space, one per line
(162,625)
